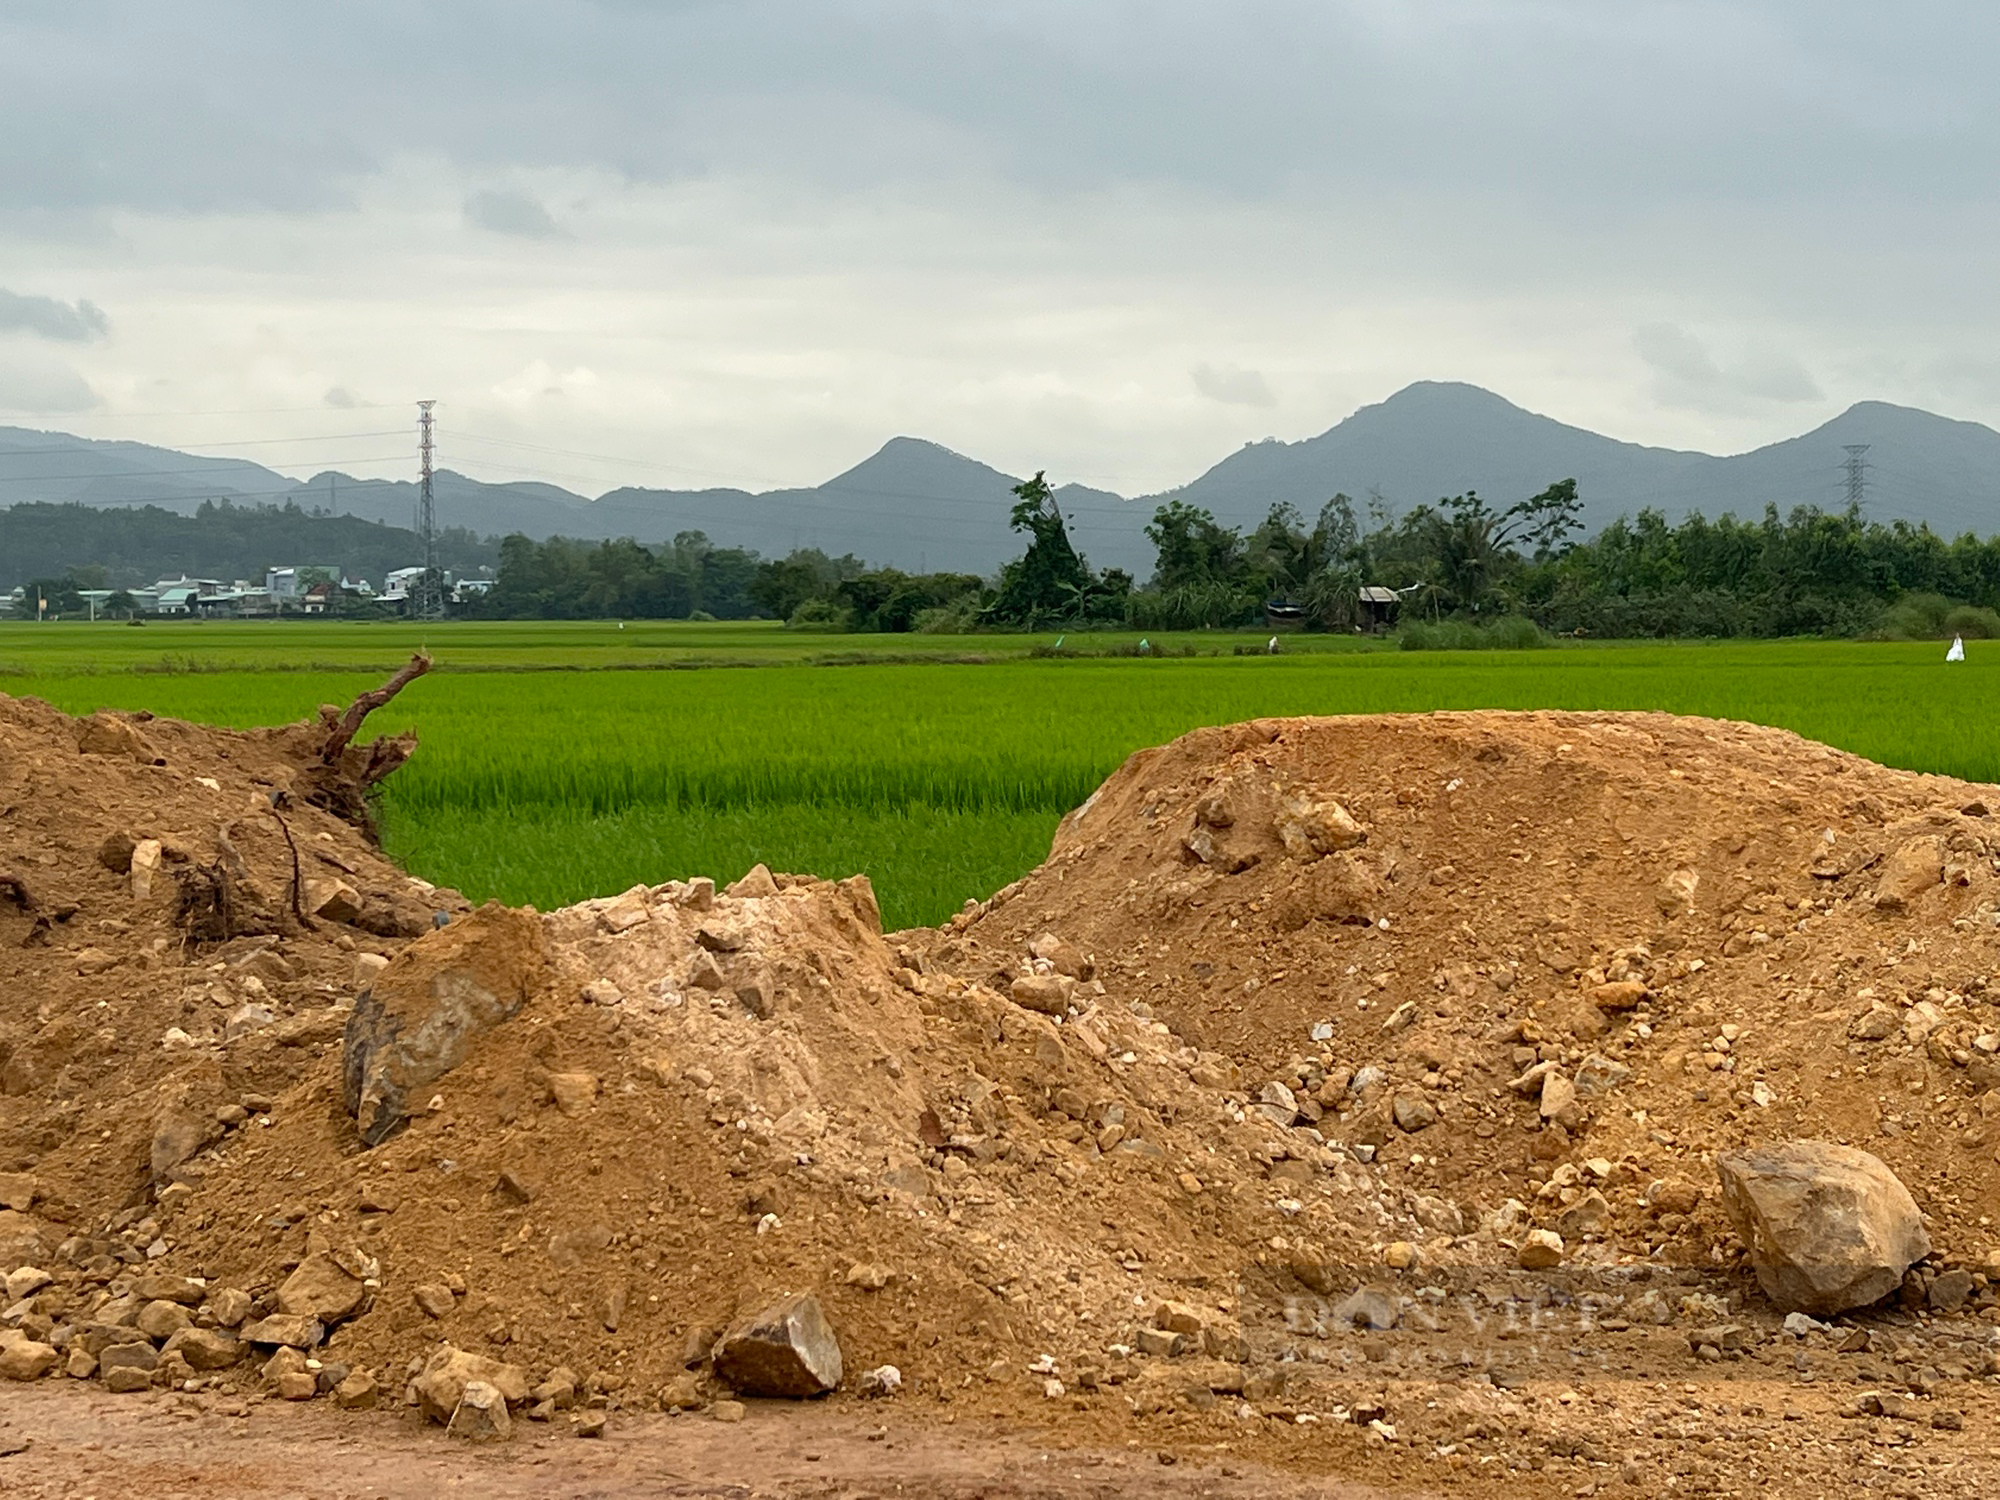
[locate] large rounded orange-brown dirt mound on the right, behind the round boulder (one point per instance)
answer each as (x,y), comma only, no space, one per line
(1713,933)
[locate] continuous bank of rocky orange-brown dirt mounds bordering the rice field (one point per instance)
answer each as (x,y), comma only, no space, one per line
(1309,1039)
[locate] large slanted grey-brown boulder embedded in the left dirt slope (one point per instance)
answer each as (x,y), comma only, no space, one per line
(431,1007)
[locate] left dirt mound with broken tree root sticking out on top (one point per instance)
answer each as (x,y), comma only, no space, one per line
(153,955)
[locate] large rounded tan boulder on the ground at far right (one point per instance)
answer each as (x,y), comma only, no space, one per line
(1829,1227)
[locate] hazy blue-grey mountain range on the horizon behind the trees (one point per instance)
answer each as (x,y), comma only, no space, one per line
(921,507)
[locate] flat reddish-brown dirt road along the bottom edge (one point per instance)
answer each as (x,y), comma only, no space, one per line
(77,1443)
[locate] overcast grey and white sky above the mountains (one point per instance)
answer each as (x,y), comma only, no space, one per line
(745,243)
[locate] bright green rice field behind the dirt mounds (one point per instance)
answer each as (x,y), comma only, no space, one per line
(543,781)
